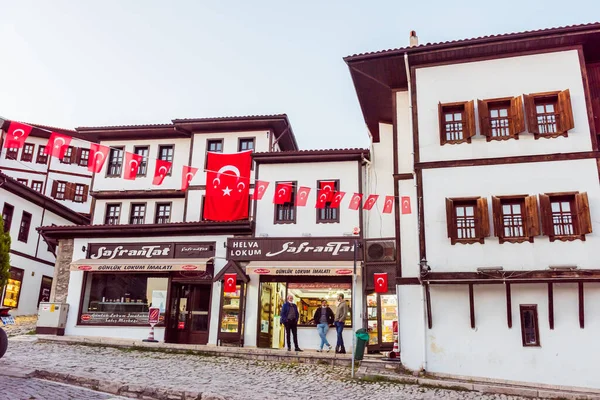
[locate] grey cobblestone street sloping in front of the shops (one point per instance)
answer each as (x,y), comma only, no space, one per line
(218,376)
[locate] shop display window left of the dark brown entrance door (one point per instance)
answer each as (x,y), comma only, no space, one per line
(123,299)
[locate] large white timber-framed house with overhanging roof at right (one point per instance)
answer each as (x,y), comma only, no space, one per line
(495,145)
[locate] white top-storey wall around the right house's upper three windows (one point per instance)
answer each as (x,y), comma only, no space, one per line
(504,77)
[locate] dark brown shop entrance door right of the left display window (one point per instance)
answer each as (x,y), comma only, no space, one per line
(189,313)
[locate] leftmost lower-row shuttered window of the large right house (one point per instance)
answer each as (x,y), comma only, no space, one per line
(467,219)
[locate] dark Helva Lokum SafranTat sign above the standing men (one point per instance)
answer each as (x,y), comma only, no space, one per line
(292,249)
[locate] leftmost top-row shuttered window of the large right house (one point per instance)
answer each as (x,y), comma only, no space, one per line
(457,122)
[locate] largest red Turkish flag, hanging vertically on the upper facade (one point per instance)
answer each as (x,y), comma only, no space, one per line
(227,186)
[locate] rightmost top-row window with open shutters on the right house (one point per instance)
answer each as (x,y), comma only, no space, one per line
(549,114)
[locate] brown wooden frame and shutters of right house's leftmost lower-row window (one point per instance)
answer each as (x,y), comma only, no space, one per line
(482,222)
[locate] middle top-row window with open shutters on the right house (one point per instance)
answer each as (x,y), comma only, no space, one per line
(501,119)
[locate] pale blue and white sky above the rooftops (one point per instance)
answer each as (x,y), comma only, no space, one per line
(118,62)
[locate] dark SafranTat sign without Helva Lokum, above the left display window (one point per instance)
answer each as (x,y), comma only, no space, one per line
(132,251)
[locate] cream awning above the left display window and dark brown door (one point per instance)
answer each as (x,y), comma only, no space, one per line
(141,265)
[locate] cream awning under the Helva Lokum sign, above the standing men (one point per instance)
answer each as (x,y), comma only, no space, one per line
(302,268)
